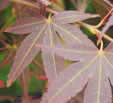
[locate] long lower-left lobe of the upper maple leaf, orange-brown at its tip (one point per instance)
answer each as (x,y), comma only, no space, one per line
(27,51)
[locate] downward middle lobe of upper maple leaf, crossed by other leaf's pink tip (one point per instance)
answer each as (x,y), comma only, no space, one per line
(53,63)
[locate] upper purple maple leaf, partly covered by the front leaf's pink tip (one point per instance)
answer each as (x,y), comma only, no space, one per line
(40,27)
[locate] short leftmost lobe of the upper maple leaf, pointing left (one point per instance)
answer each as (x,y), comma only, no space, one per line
(26,25)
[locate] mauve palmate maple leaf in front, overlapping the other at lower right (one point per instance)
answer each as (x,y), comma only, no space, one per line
(95,68)
